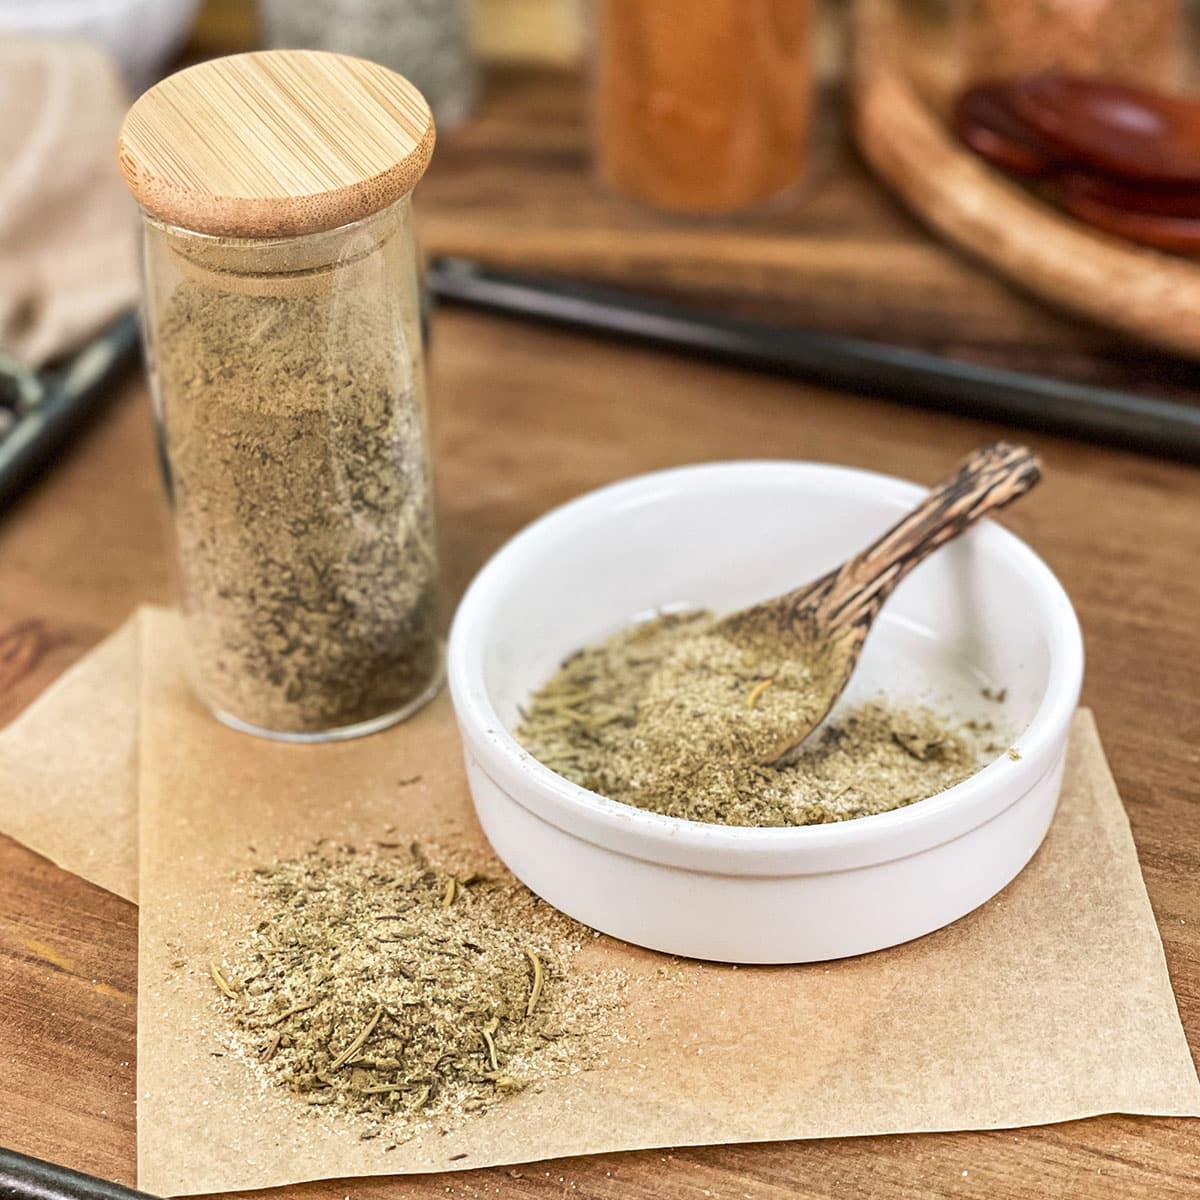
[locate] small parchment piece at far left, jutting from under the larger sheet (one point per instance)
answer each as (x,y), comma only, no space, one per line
(69,767)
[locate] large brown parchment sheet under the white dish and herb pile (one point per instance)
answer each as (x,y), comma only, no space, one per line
(1049,1003)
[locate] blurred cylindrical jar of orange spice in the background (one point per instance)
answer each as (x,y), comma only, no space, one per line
(704,107)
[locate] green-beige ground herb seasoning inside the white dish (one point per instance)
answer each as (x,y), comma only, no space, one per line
(629,721)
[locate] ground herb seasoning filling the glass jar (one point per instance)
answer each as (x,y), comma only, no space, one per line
(302,494)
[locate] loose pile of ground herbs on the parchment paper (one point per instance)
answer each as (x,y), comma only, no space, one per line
(409,992)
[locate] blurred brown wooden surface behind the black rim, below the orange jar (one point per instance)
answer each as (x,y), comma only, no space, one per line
(517,189)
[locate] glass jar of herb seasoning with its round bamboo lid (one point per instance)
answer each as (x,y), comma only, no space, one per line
(284,340)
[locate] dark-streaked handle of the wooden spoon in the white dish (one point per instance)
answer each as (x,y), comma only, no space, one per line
(844,603)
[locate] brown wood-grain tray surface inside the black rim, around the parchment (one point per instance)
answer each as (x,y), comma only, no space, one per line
(525,419)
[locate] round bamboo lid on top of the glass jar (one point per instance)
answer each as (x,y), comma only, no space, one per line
(275,143)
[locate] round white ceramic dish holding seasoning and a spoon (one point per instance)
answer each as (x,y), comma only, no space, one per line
(983,611)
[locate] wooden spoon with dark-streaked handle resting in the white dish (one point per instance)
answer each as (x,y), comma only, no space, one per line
(825,623)
